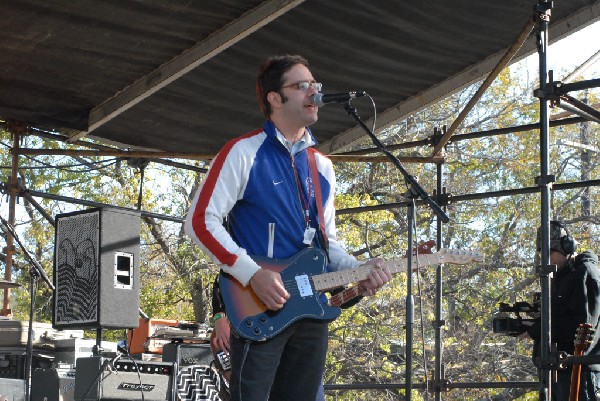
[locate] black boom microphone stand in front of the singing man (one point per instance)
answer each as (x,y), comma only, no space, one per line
(414,191)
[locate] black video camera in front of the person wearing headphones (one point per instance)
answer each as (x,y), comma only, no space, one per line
(507,325)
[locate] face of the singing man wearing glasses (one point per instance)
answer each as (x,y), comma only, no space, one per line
(296,107)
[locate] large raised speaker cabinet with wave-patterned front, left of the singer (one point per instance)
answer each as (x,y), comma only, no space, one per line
(96,269)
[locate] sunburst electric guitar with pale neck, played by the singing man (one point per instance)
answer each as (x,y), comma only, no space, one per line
(304,279)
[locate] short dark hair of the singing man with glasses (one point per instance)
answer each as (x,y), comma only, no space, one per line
(270,77)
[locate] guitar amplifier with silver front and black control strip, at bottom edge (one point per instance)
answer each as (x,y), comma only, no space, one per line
(98,378)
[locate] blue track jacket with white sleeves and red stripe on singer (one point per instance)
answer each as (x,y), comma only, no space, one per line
(252,182)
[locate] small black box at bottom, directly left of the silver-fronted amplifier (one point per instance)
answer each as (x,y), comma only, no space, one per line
(55,384)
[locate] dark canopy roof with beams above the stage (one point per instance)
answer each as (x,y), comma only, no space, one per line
(178,76)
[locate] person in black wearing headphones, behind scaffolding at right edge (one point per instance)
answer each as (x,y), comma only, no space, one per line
(575,300)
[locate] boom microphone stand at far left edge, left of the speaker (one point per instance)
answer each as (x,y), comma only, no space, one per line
(35,272)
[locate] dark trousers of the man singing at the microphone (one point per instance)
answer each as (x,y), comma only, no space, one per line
(287,367)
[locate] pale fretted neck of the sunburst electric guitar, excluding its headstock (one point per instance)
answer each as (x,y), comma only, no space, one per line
(331,280)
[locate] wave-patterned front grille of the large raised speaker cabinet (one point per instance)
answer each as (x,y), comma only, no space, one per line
(77,244)
